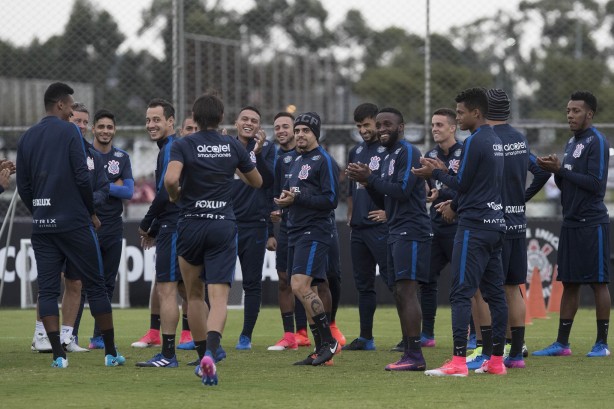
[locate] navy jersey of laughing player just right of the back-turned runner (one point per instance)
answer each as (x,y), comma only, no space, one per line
(253,206)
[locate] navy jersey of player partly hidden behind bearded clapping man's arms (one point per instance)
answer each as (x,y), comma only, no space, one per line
(373,154)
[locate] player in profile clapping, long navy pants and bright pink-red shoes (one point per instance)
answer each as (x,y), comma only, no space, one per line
(476,257)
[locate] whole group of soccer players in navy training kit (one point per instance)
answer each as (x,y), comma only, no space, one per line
(217,196)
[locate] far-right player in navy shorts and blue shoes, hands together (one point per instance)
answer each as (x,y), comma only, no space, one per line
(584,246)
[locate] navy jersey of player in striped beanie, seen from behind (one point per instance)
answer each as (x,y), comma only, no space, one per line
(518,160)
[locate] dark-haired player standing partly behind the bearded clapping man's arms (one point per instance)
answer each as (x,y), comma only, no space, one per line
(369,230)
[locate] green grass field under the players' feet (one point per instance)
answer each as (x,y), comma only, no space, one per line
(264,379)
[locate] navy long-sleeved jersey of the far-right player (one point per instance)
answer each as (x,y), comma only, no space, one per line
(582,179)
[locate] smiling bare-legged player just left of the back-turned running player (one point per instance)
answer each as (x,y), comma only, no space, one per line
(159,228)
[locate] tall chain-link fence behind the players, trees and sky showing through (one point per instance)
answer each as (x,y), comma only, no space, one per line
(313,55)
